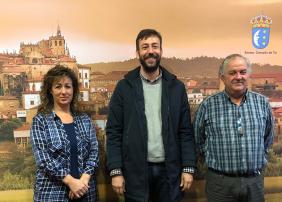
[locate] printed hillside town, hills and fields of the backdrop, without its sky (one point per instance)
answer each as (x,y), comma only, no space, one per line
(21,76)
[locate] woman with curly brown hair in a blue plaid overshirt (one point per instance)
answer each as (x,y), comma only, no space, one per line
(64,142)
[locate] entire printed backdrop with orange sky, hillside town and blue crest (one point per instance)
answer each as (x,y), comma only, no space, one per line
(97,40)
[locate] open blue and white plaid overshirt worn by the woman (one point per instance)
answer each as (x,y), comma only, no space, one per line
(51,150)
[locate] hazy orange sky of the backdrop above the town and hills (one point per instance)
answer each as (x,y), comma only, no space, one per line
(103,31)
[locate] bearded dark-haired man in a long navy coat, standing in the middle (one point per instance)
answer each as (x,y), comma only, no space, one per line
(150,141)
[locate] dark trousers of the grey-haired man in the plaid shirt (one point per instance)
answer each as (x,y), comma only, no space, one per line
(223,188)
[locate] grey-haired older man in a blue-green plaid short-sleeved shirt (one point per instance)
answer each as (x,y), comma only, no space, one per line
(233,132)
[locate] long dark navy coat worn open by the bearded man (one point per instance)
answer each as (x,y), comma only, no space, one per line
(127,133)
